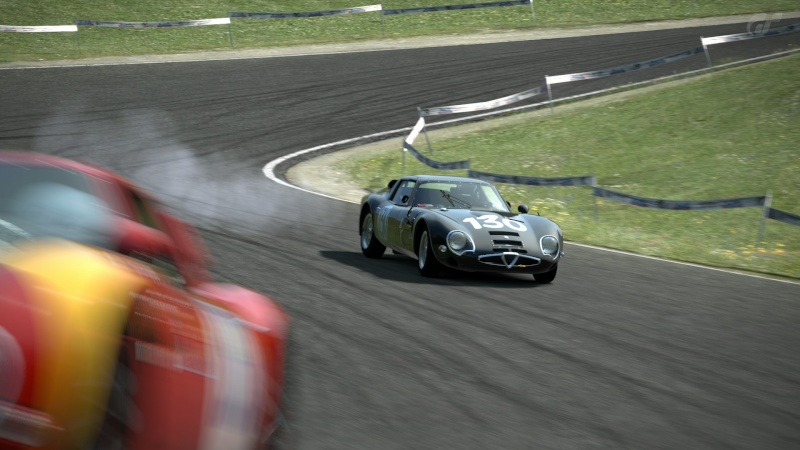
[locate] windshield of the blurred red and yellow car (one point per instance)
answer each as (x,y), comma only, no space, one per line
(41,202)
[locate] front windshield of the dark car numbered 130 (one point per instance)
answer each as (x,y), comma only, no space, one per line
(459,195)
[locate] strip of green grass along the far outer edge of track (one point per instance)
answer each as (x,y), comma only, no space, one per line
(255,33)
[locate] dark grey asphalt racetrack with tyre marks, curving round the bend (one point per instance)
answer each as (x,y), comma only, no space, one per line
(619,352)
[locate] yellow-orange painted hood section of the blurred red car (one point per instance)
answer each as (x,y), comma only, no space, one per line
(77,299)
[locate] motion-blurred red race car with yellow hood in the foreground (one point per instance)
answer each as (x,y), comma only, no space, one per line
(112,332)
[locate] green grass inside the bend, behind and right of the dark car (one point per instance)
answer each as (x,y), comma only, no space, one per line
(728,134)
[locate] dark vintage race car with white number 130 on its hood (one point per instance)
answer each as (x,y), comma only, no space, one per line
(461,223)
